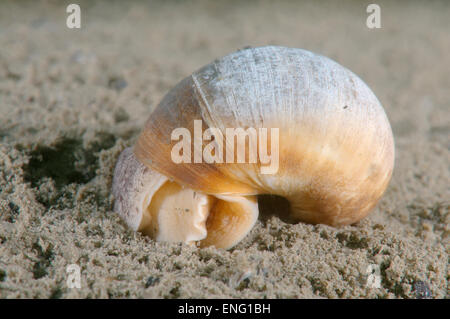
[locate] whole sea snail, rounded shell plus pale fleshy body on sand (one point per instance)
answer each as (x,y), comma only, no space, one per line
(336,149)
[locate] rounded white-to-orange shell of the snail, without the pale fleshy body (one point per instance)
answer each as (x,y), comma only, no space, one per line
(336,149)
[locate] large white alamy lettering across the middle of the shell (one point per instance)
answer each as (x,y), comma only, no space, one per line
(259,141)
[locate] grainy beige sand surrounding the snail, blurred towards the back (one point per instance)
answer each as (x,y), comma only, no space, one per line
(71,100)
